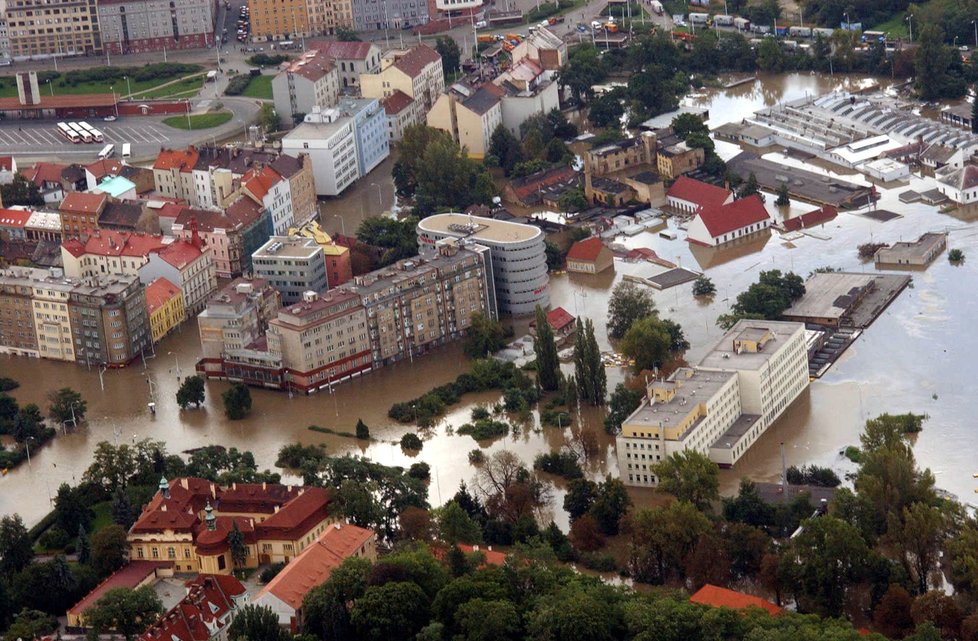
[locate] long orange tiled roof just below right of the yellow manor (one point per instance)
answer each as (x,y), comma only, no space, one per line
(315,563)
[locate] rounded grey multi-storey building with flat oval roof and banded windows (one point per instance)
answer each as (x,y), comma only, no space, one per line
(519,261)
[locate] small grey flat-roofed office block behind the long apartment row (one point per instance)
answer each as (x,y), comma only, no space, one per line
(291,264)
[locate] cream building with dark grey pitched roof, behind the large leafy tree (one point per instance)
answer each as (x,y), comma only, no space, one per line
(470,118)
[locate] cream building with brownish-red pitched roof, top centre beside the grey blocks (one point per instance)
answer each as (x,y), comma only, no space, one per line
(417,72)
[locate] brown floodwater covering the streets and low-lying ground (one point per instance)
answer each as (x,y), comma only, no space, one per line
(918,356)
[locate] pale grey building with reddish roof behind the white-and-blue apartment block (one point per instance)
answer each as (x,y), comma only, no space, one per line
(310,81)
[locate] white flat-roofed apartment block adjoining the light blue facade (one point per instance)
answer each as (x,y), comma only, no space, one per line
(330,141)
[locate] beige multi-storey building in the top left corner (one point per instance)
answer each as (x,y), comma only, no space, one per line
(44,27)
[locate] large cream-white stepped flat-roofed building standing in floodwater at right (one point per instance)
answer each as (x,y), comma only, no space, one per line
(721,406)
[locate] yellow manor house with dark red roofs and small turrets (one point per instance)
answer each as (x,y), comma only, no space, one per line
(187,522)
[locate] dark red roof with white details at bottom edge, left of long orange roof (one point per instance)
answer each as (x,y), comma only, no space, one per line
(202,613)
